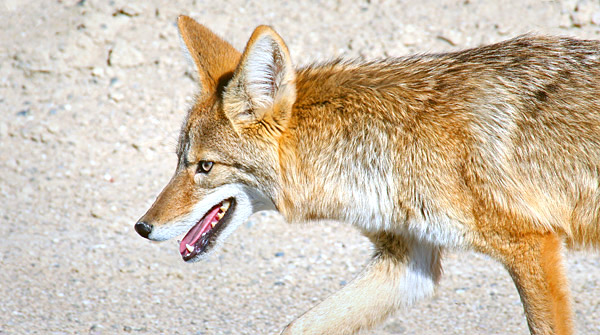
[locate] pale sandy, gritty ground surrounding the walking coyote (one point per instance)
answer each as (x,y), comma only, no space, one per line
(92,94)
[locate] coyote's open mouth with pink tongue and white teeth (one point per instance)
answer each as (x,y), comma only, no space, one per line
(204,233)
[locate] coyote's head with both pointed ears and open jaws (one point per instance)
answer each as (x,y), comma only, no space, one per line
(228,146)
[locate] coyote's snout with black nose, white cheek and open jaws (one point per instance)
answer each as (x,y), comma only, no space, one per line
(208,219)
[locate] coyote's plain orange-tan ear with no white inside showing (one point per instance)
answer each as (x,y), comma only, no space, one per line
(215,59)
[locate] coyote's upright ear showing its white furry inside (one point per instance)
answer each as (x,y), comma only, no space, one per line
(263,88)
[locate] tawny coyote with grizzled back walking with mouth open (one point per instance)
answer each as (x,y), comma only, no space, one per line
(494,149)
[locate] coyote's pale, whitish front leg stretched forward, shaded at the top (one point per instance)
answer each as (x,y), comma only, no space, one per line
(401,272)
